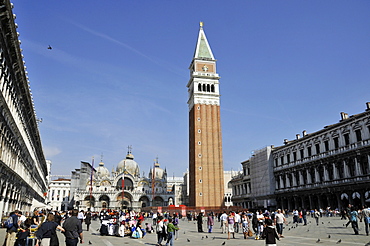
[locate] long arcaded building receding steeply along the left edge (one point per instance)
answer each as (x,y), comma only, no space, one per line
(23,168)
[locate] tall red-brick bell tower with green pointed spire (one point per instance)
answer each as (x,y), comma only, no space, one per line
(206,171)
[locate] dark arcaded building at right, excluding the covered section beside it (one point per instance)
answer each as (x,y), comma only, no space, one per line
(327,168)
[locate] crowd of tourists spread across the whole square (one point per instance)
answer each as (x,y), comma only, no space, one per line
(41,226)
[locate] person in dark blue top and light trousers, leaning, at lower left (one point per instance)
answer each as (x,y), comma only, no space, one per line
(46,234)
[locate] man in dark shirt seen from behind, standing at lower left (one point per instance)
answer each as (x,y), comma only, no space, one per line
(73,229)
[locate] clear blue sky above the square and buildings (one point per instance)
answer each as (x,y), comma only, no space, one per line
(118,70)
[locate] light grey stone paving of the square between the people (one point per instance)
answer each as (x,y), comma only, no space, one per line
(188,235)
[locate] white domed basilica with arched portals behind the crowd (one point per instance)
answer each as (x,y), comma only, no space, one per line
(123,188)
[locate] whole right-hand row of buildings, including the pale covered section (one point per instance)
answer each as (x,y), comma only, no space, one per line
(327,168)
